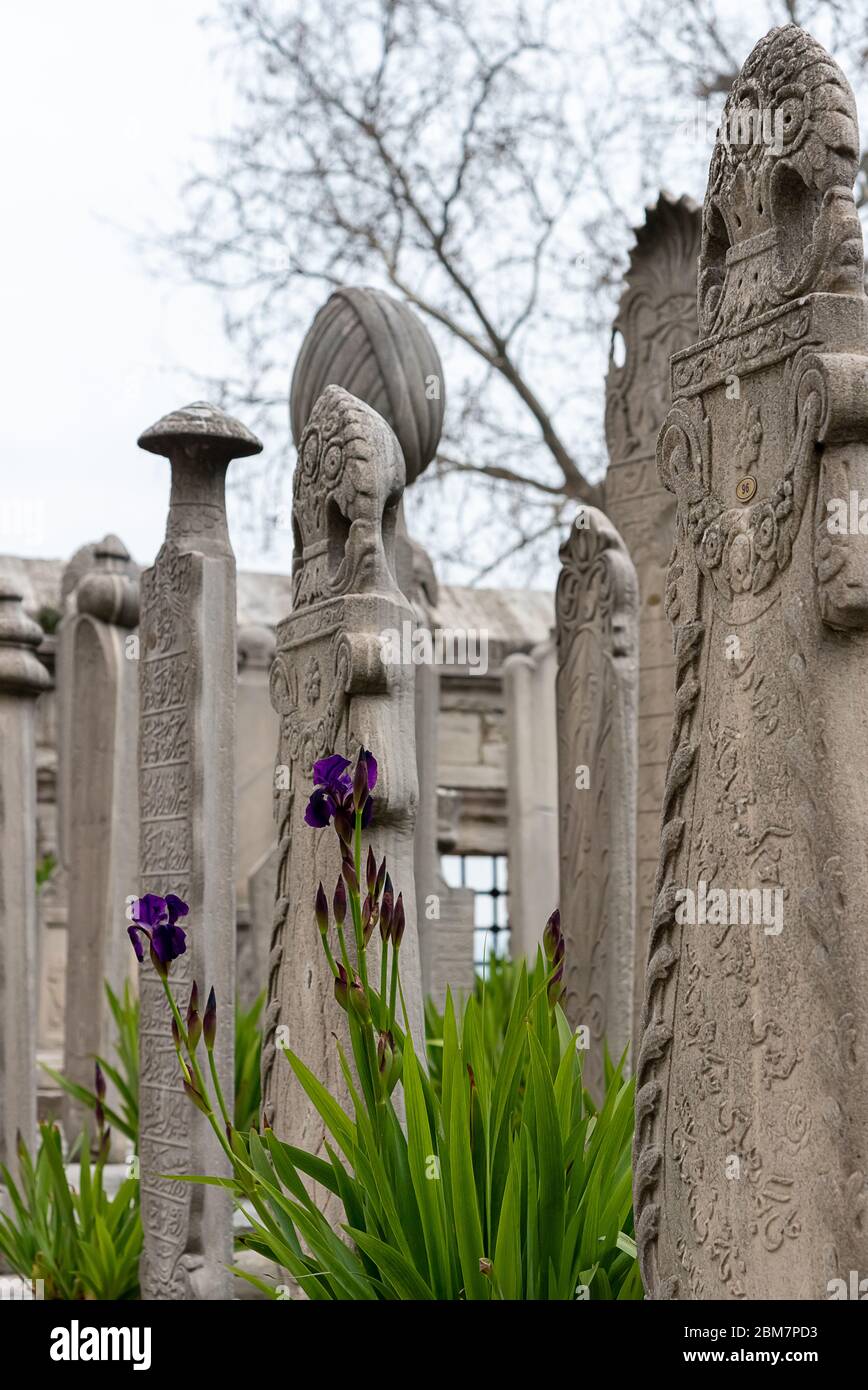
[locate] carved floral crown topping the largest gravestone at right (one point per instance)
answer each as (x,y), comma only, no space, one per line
(780,219)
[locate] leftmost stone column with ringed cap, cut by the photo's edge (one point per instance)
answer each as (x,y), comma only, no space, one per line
(23,678)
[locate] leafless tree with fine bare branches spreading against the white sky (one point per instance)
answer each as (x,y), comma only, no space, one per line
(485,162)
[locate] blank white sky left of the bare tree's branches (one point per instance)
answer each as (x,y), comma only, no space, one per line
(105,108)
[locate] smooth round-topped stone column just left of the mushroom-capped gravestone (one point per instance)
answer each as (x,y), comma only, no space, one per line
(99,833)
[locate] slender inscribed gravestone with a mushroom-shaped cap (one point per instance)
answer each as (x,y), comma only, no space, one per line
(187,806)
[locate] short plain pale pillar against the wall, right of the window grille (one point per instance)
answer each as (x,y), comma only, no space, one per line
(532,794)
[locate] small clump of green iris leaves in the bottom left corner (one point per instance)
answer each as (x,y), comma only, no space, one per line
(84,1245)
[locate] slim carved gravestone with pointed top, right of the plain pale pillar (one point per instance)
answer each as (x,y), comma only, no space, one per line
(597,632)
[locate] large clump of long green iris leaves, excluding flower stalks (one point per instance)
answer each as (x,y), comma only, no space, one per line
(507,1184)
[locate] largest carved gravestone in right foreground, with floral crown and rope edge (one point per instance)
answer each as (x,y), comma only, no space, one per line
(753,1100)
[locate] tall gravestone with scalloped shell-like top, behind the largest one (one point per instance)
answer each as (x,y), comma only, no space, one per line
(657,318)
